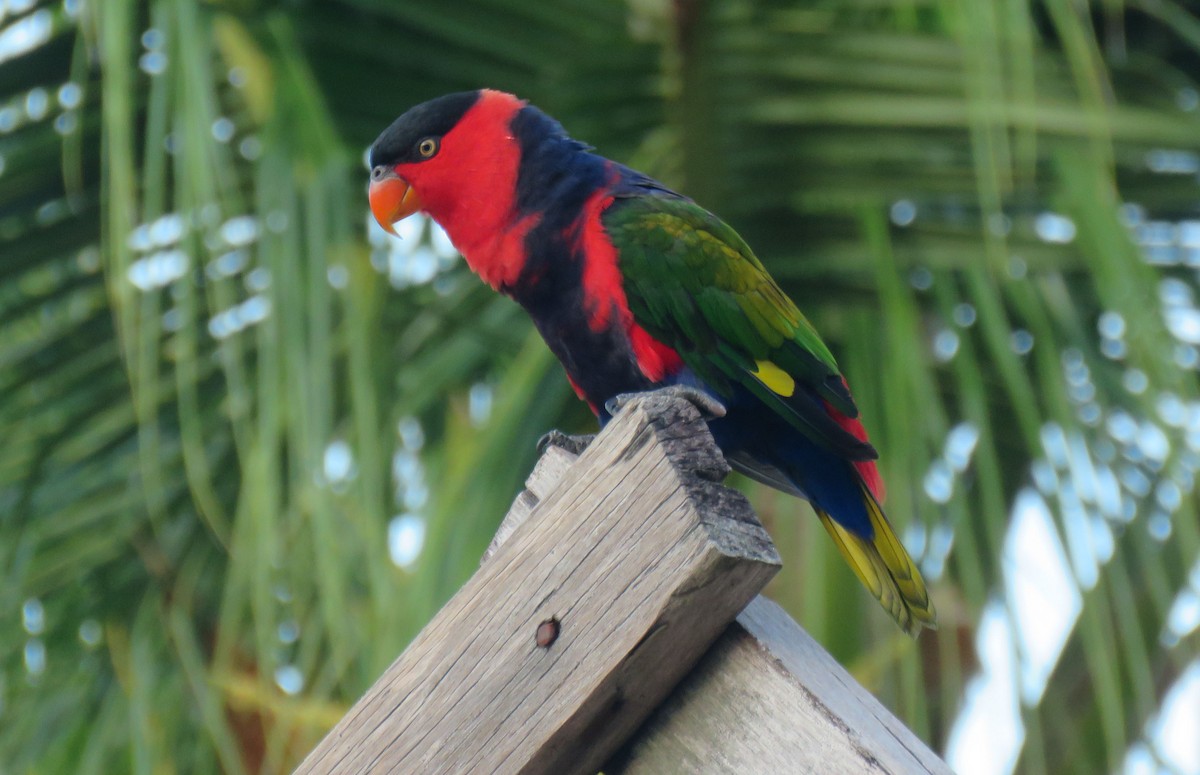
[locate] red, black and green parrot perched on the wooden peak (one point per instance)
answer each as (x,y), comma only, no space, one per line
(637,289)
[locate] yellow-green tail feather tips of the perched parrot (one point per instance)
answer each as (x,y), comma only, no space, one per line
(885,568)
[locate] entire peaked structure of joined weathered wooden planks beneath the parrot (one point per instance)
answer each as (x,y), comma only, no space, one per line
(611,578)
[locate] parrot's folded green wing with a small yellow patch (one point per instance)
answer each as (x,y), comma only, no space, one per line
(694,285)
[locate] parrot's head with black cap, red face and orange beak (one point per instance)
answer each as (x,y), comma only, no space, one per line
(453,158)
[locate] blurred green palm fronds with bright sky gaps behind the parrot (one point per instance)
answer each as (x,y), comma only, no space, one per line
(249,446)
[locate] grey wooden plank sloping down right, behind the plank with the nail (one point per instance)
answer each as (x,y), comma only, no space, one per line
(767,699)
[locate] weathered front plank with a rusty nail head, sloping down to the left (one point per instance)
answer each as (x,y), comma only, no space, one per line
(640,556)
